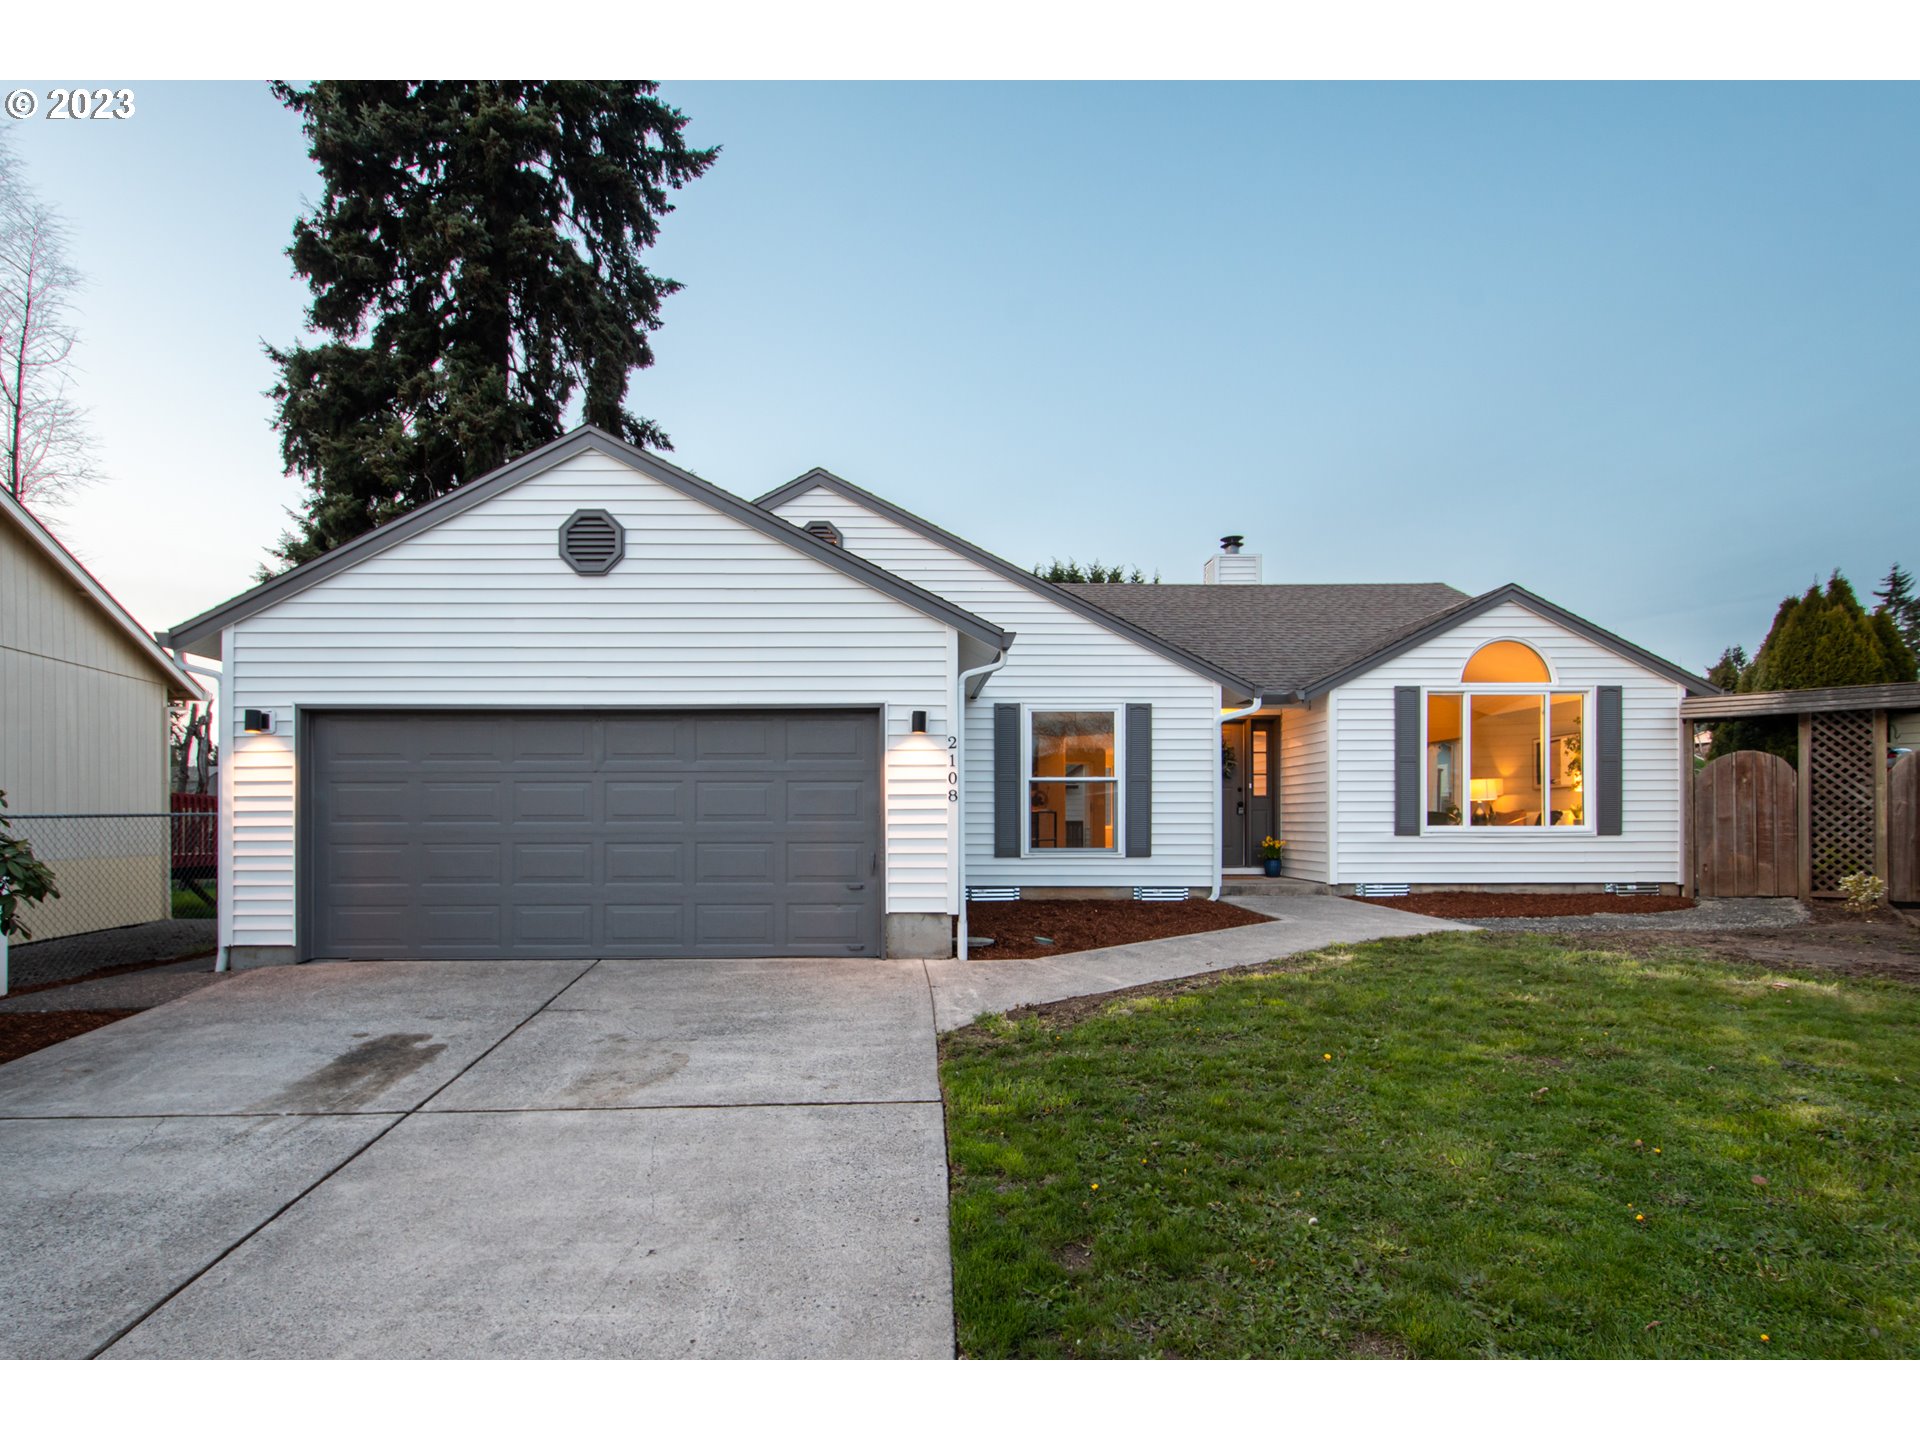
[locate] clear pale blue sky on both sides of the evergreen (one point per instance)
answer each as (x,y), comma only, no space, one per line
(1646,350)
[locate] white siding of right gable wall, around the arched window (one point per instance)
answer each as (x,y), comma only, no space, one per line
(1648,850)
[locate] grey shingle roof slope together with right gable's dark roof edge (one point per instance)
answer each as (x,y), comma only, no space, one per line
(1307,640)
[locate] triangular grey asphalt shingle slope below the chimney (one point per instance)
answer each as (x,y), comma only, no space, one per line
(1280,636)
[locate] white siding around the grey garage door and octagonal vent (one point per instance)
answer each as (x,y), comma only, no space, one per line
(481,612)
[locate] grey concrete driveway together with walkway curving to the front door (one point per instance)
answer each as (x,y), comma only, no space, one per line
(533,1159)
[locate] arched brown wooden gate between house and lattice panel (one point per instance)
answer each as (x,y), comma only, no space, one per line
(1746,827)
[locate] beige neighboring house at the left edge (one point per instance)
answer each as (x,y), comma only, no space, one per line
(84,734)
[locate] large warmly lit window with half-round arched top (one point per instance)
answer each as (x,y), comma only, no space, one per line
(1508,750)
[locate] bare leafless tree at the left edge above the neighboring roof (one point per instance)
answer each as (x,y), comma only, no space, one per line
(45,444)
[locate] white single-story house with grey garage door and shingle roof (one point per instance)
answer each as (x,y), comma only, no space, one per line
(594,706)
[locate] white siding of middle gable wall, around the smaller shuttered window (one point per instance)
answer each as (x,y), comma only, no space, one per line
(1059,661)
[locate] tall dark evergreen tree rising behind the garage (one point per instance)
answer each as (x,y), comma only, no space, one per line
(475,264)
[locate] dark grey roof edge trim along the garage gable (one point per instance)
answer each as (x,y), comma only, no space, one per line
(193,635)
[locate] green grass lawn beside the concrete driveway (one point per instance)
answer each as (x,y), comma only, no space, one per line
(1456,1145)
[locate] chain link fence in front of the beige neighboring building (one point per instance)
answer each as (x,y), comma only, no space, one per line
(118,871)
